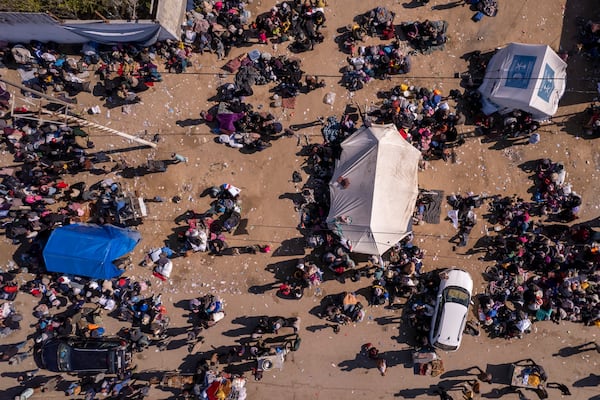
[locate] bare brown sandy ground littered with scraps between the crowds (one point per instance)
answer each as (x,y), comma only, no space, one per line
(329,366)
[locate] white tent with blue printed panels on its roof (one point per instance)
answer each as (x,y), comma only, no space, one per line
(527,77)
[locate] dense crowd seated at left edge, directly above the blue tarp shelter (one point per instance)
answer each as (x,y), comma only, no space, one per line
(47,152)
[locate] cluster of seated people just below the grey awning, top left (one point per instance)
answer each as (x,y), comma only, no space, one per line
(123,70)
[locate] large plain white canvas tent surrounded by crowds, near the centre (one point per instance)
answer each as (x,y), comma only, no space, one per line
(374,189)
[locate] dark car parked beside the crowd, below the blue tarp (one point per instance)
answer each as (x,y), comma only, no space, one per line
(72,354)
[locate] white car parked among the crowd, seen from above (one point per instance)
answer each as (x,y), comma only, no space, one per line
(451,309)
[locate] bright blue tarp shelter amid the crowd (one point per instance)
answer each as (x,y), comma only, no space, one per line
(88,250)
